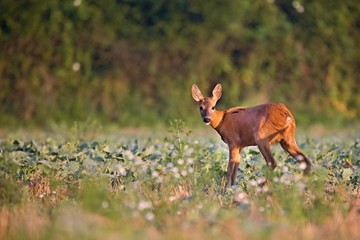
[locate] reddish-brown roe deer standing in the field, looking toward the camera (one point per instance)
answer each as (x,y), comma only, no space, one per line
(260,126)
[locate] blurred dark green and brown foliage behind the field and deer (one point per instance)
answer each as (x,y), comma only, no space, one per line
(133,62)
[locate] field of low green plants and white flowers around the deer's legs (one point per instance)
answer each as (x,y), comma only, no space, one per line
(86,183)
